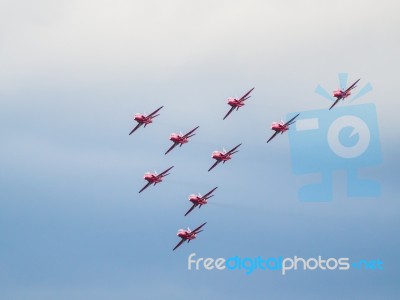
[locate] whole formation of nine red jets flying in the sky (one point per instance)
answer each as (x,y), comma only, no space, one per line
(219,156)
